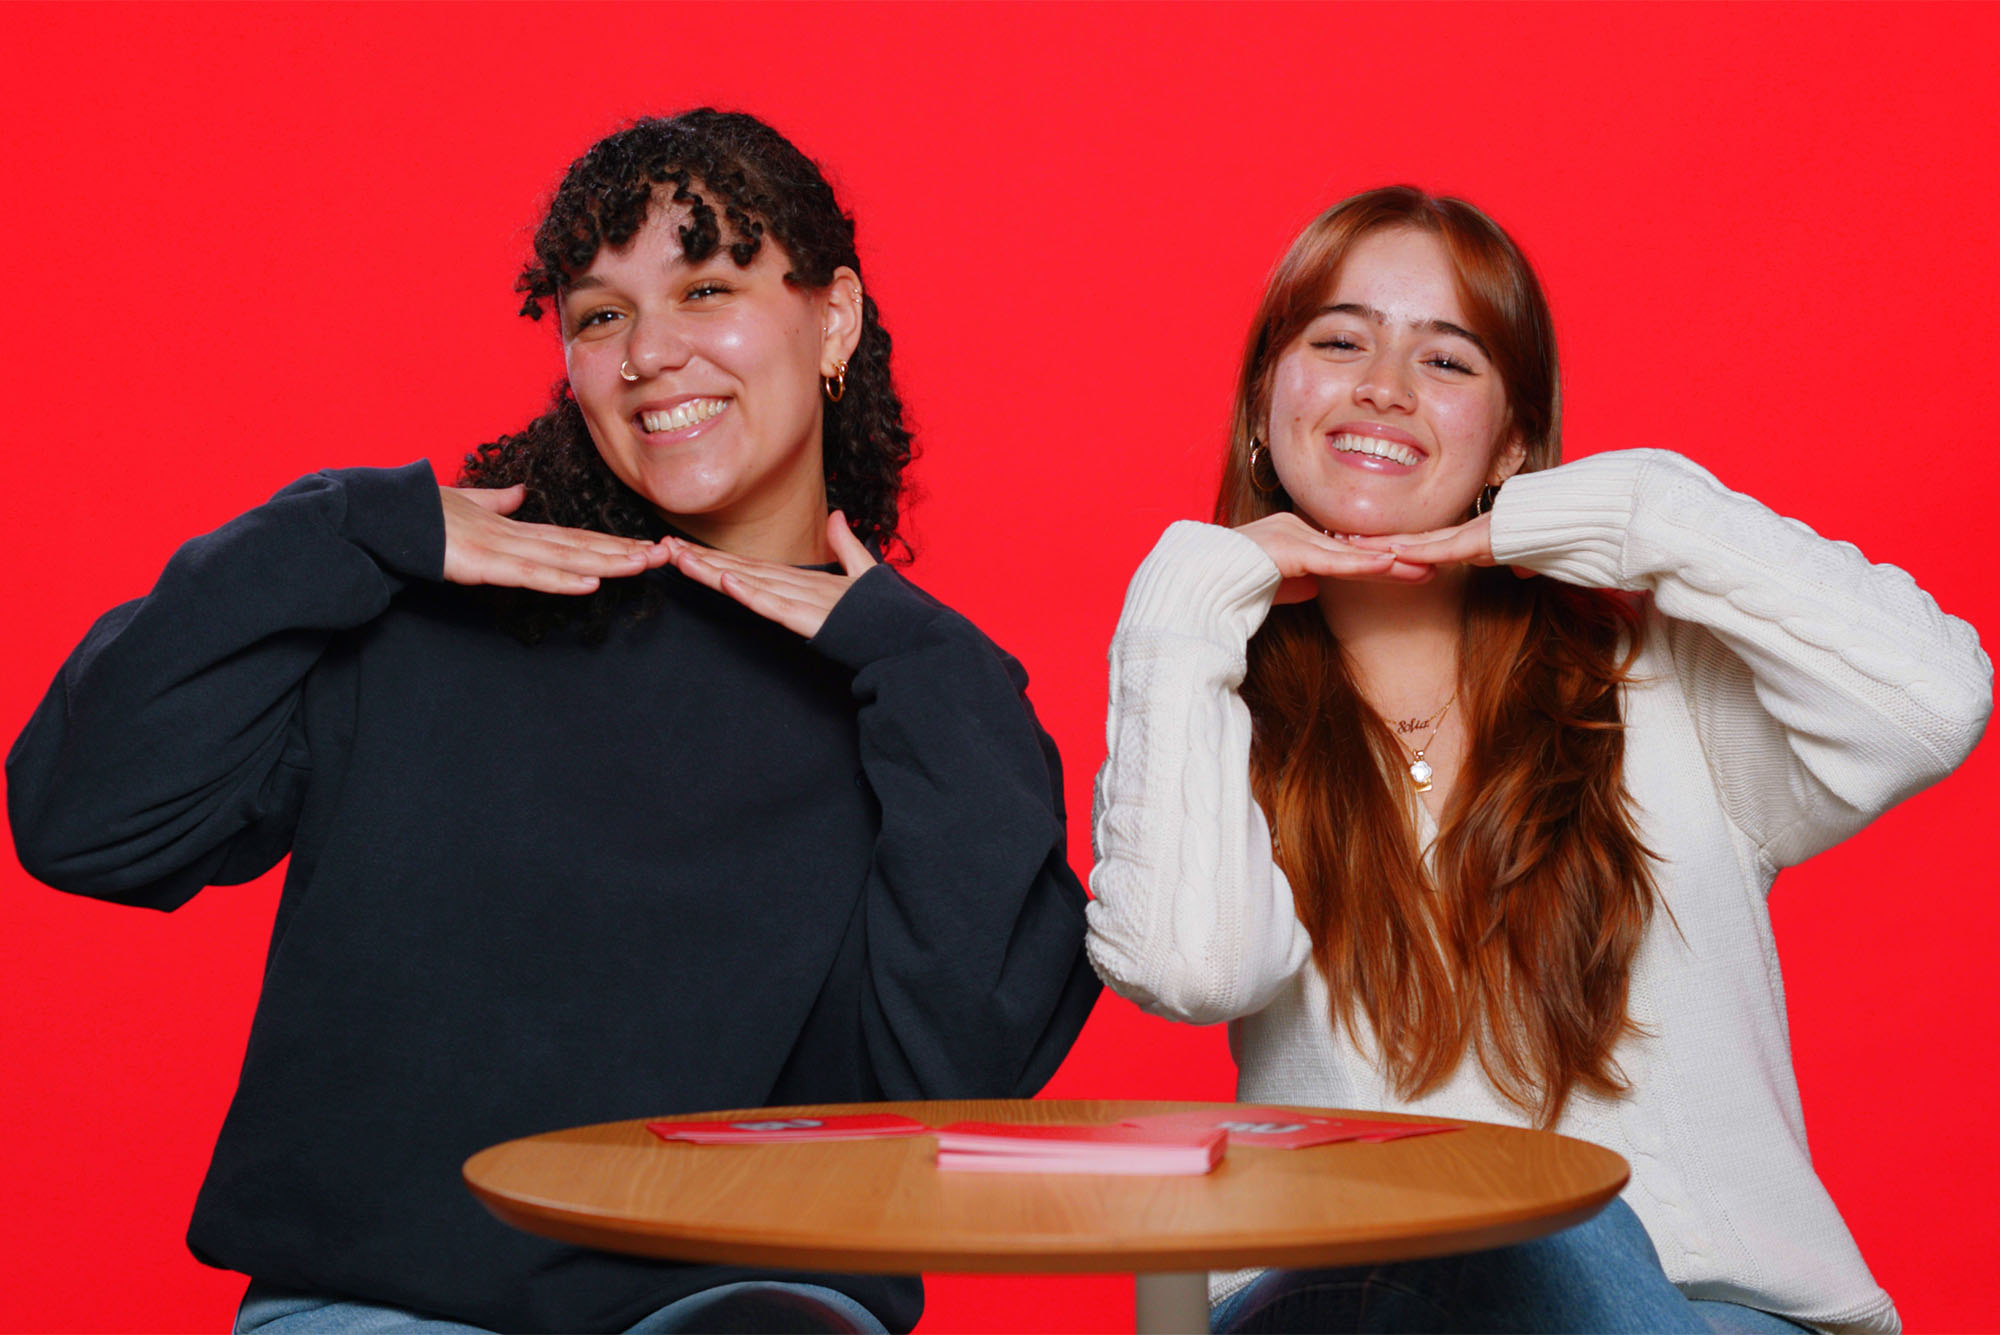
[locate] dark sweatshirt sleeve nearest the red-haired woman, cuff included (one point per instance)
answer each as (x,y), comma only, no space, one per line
(975,922)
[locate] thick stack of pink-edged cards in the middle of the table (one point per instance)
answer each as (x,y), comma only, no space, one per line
(1009,1148)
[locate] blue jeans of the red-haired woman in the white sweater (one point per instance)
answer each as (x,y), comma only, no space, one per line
(1601,1276)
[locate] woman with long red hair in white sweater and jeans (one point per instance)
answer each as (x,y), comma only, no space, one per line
(1451,838)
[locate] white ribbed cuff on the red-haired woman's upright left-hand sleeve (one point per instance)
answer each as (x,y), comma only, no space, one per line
(1203,581)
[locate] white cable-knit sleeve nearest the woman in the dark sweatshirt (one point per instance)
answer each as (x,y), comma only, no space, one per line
(1191,916)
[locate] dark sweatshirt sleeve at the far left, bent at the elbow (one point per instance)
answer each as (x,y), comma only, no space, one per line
(169,754)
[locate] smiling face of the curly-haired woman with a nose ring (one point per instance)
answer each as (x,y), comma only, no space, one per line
(701,385)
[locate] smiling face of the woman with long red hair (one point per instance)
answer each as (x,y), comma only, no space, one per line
(1387,415)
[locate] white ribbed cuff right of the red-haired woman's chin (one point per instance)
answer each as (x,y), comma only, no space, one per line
(1571,523)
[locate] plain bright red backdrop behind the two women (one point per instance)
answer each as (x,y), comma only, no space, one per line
(247,243)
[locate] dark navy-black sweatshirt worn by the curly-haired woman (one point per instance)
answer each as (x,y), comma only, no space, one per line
(703,864)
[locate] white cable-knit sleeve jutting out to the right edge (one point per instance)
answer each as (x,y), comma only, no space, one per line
(1823,688)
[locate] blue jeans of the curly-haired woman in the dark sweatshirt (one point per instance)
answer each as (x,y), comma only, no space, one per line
(727,1310)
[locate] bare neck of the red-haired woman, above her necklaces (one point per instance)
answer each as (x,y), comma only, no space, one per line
(1403,639)
